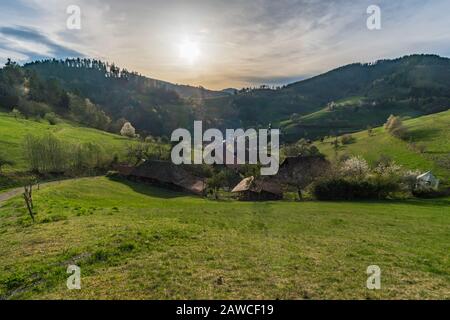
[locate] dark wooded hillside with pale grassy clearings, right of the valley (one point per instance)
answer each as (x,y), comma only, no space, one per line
(346,99)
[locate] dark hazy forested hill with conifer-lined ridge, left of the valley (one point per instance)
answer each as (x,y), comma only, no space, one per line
(153,106)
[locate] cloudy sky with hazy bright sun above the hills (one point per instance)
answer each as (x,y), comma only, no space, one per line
(224,43)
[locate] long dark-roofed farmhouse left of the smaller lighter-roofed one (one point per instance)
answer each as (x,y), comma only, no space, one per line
(165,174)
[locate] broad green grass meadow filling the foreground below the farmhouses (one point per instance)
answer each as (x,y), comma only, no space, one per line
(133,241)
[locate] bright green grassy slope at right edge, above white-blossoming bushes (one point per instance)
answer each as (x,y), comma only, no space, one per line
(431,131)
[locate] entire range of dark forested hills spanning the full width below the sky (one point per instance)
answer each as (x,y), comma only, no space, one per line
(347,99)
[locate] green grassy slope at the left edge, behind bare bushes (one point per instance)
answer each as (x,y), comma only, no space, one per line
(12,132)
